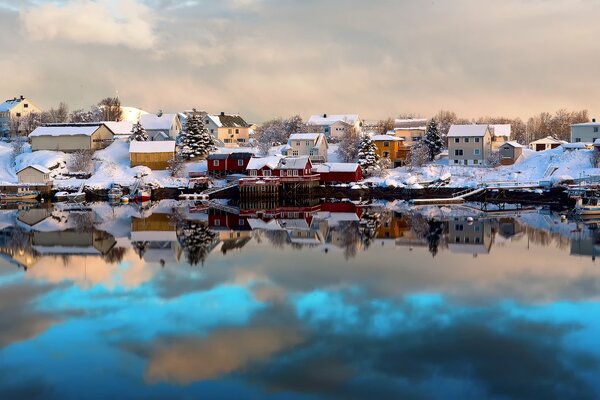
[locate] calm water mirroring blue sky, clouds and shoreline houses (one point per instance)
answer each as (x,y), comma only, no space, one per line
(320,301)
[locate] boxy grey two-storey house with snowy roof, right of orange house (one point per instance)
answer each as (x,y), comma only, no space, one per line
(469,144)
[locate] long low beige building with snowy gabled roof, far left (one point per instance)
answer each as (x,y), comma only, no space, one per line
(71,137)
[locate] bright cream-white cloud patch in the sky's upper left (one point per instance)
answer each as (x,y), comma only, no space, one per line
(105,22)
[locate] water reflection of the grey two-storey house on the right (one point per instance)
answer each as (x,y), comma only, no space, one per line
(470,236)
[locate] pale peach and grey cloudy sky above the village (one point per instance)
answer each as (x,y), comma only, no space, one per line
(269,58)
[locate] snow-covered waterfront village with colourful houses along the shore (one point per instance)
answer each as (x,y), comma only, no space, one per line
(126,154)
